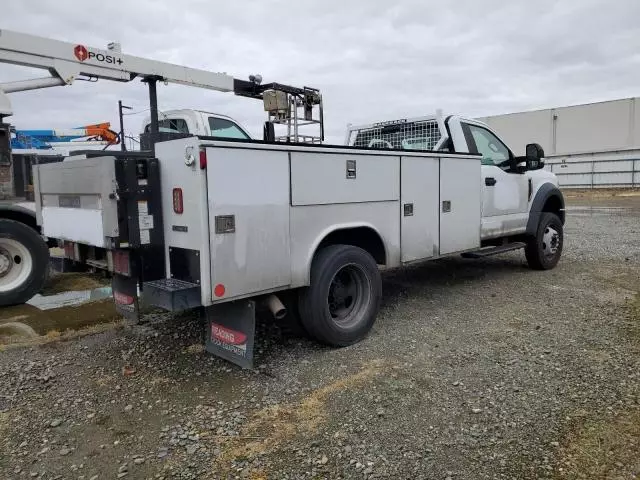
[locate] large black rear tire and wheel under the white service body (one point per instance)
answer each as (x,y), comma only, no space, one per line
(341,303)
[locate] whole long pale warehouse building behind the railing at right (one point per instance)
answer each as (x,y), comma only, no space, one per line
(591,145)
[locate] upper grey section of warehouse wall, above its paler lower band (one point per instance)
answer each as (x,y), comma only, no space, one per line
(592,127)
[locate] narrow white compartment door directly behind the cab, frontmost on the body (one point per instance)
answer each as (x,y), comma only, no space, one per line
(460,204)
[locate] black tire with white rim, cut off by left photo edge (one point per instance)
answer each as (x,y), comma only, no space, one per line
(16,237)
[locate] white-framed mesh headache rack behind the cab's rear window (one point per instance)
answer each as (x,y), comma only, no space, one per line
(421,133)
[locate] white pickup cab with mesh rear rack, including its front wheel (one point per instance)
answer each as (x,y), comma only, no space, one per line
(518,197)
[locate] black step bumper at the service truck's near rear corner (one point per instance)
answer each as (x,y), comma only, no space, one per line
(171,294)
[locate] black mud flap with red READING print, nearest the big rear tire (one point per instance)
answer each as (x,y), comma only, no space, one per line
(230,331)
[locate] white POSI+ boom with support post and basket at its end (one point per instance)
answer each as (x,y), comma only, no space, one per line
(67,62)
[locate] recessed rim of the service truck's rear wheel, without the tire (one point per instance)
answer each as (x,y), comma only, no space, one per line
(348,295)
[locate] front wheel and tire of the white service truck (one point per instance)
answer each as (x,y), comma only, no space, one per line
(544,250)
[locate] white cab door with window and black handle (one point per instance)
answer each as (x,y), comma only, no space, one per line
(504,192)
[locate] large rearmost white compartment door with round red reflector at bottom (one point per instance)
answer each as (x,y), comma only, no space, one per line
(248,192)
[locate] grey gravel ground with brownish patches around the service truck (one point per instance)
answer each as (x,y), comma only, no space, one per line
(474,369)
